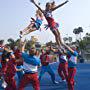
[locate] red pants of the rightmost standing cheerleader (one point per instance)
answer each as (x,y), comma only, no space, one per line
(71,74)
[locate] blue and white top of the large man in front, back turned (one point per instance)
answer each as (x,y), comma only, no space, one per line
(31,63)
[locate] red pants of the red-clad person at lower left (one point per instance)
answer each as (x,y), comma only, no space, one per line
(11,83)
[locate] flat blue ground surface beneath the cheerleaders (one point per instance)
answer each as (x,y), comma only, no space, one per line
(82,79)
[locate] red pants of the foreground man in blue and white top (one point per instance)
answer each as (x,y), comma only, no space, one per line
(30,78)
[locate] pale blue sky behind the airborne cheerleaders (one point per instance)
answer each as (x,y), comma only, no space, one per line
(15,16)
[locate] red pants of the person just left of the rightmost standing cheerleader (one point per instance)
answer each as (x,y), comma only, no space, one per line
(63,70)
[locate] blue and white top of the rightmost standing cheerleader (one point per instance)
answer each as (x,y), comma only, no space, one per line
(72,60)
